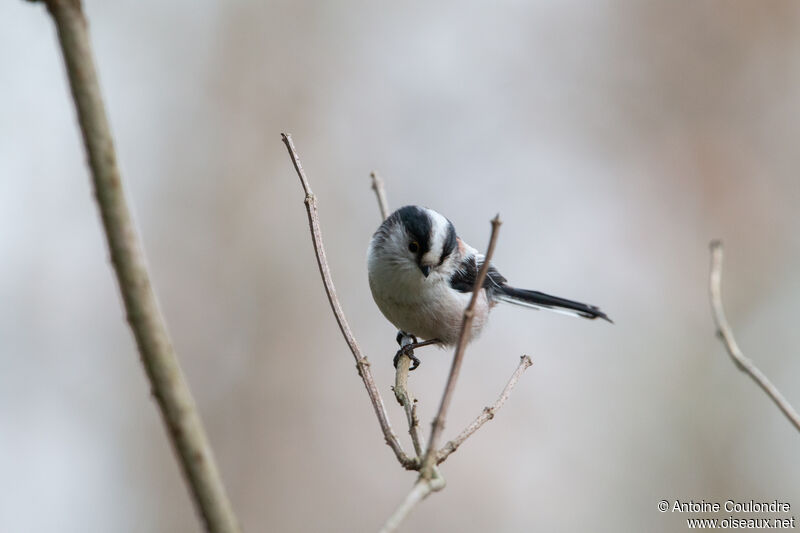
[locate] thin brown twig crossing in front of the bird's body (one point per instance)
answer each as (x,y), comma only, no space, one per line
(466,329)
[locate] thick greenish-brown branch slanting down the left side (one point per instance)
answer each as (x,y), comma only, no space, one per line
(166,378)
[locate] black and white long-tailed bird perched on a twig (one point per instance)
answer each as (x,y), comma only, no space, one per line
(422,274)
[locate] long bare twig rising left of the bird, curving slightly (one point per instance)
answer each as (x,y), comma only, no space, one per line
(361,362)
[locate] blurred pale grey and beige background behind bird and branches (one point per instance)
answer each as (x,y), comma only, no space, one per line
(615,139)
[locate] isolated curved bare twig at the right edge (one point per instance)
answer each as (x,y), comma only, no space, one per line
(726,335)
